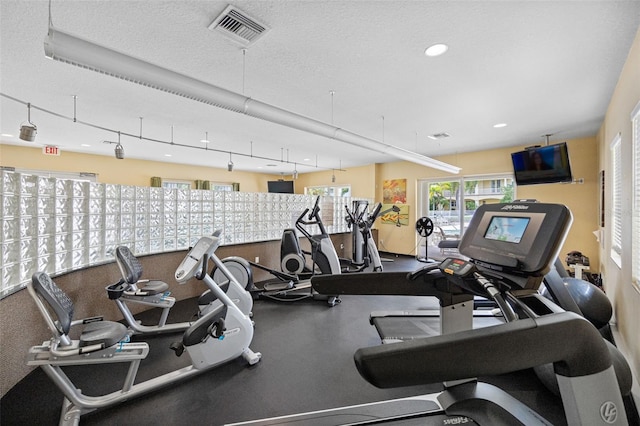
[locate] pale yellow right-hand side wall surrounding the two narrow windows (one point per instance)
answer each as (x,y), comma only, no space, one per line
(625,297)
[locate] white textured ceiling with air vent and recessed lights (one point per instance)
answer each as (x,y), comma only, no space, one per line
(542,67)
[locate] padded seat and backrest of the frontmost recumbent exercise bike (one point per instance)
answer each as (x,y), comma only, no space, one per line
(94,332)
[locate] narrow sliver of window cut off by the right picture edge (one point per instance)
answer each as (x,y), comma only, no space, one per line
(635,226)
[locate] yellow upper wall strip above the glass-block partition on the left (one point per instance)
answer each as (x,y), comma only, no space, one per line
(127,171)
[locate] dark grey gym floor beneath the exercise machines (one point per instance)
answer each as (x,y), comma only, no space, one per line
(307,364)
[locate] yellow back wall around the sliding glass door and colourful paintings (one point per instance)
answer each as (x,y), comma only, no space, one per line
(582,199)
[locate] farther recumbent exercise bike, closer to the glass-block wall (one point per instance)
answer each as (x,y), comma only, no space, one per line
(132,289)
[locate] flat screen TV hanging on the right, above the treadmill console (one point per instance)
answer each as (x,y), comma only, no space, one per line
(543,164)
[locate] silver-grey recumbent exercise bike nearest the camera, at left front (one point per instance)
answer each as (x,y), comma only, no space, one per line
(222,334)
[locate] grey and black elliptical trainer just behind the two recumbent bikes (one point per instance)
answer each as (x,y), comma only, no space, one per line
(292,283)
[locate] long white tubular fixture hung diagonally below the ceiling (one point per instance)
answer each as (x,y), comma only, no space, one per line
(70,49)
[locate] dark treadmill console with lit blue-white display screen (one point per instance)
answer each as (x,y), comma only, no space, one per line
(520,237)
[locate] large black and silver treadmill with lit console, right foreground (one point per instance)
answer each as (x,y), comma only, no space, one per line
(508,249)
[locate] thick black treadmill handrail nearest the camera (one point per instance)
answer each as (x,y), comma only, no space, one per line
(500,349)
